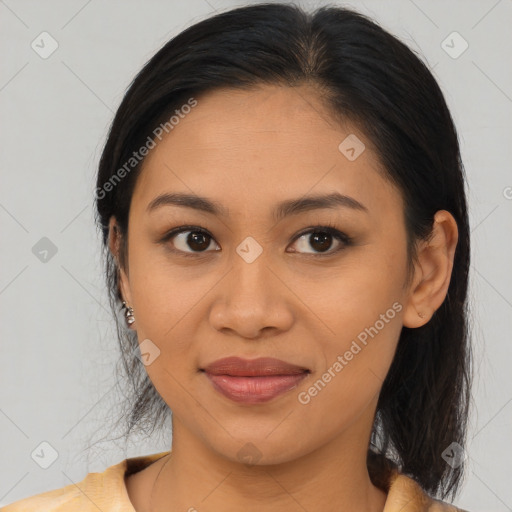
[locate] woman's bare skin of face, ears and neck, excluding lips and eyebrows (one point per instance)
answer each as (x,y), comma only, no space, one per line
(249,150)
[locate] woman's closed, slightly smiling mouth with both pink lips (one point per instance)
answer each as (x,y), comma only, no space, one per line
(253,381)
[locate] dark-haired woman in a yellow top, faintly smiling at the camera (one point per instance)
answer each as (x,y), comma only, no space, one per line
(282,203)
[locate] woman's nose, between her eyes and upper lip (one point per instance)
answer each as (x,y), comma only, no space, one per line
(251,301)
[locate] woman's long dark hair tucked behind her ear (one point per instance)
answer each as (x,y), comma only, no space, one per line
(368,77)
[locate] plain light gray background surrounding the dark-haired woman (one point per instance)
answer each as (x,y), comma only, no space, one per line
(58,349)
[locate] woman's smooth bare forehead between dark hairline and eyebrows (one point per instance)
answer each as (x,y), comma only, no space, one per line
(255,146)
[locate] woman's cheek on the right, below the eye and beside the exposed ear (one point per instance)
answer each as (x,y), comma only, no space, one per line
(362,306)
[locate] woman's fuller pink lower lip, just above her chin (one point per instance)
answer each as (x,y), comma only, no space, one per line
(254,390)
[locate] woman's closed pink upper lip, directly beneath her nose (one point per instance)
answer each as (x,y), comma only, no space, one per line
(239,367)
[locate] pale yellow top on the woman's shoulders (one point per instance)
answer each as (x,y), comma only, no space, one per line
(107,492)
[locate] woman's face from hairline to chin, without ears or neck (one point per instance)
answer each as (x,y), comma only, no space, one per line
(253,288)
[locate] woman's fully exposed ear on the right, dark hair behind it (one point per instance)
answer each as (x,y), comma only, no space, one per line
(432,271)
